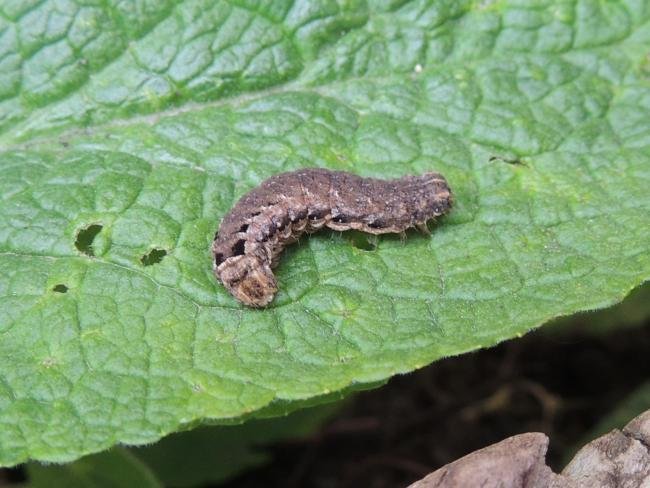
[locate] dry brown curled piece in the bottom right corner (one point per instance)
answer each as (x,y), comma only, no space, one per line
(620,459)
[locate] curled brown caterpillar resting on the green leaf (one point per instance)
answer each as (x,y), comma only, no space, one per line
(276,213)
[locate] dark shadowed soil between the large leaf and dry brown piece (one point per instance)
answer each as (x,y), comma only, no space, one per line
(557,384)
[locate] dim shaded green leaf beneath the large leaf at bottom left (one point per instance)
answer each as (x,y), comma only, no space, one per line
(192,458)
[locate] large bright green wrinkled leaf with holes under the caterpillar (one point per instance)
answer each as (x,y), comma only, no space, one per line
(129,129)
